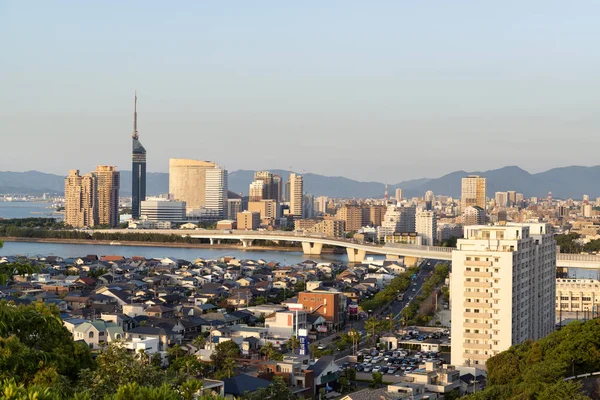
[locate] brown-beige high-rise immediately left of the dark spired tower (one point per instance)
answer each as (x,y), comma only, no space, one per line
(108,182)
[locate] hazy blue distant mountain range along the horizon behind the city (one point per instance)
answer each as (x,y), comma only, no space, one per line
(563,182)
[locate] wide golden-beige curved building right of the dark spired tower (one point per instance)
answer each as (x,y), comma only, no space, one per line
(187,181)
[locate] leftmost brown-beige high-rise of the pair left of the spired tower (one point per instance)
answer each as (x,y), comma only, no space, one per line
(80,200)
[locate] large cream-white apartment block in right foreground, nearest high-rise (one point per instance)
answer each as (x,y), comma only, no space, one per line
(502,289)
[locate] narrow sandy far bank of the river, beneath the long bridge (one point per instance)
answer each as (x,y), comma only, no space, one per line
(162,244)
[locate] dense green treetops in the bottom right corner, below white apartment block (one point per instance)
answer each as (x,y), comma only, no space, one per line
(535,370)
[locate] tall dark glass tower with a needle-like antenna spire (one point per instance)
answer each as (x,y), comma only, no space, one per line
(138,168)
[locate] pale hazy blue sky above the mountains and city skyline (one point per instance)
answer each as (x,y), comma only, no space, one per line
(371,90)
